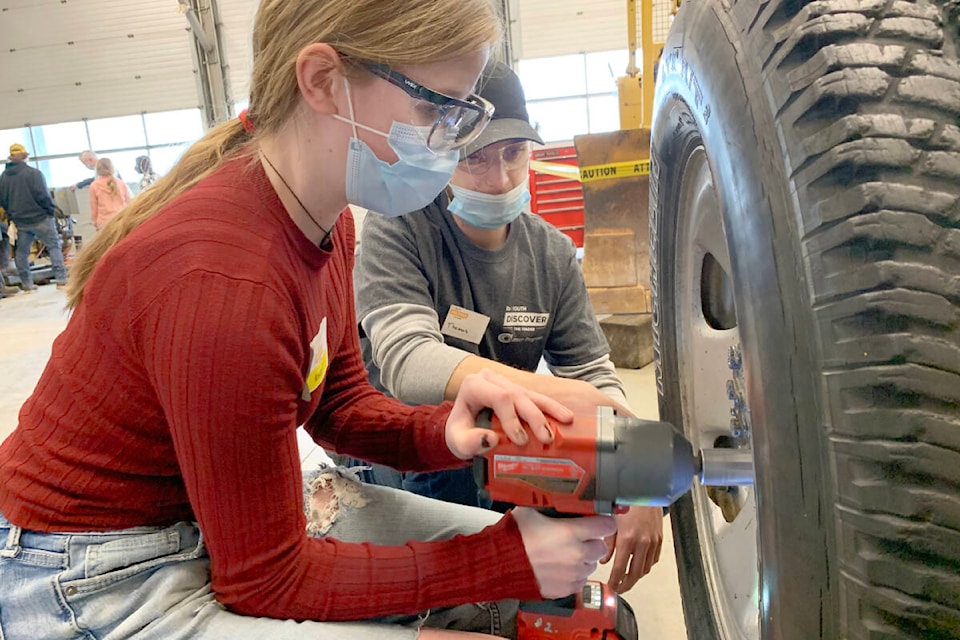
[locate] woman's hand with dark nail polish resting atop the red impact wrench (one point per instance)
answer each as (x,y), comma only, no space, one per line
(512,404)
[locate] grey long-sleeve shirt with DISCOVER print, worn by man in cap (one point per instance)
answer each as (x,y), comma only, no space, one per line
(427,298)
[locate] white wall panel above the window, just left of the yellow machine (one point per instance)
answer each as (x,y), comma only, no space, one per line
(554,28)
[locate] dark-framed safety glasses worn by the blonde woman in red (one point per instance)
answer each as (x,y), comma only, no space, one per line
(453,123)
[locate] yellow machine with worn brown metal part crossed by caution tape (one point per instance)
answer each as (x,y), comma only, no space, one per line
(614,175)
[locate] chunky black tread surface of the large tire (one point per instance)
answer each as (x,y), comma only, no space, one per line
(868,98)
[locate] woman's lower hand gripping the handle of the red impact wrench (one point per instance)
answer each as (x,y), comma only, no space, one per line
(563,552)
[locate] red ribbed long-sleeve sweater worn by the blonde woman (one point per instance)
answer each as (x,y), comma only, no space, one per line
(174,394)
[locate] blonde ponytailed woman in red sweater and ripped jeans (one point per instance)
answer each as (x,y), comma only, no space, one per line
(153,488)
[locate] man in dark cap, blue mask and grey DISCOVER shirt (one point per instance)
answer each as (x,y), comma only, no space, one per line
(473,282)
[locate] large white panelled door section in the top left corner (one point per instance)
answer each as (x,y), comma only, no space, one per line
(63,60)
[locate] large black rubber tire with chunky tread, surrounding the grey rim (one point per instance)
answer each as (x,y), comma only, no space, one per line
(831,134)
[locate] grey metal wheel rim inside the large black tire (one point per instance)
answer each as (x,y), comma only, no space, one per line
(706,330)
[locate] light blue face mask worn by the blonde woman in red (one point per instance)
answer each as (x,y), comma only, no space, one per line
(411,183)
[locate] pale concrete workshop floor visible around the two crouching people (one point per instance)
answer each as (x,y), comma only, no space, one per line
(30,322)
